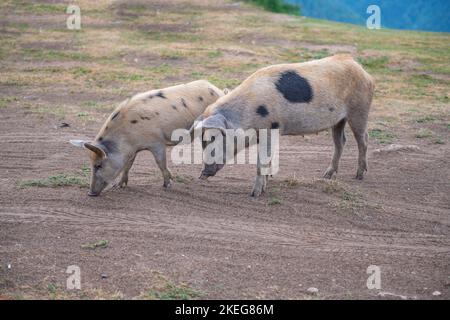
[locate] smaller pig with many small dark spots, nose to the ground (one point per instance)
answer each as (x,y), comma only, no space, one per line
(144,122)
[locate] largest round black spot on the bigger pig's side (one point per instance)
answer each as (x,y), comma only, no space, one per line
(294,87)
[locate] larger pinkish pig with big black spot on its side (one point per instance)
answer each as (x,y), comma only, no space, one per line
(298,99)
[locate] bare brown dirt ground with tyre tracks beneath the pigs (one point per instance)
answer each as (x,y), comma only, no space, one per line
(210,239)
